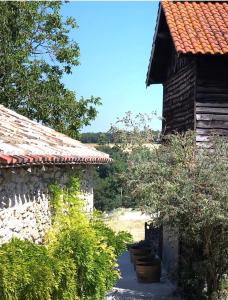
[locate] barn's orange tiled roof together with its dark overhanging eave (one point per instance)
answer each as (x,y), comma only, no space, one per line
(189,28)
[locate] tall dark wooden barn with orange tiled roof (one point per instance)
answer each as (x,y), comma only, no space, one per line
(190,58)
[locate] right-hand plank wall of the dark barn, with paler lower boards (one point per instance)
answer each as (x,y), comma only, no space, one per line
(211,97)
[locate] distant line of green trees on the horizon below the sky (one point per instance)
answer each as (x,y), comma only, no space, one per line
(106,137)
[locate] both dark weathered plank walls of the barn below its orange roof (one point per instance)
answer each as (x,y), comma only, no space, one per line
(195,95)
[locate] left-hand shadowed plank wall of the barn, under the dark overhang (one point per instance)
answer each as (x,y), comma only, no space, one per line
(178,100)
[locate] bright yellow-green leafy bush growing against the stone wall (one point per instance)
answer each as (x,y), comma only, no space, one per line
(77,261)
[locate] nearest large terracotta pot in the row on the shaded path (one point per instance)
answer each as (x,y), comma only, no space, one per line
(148,271)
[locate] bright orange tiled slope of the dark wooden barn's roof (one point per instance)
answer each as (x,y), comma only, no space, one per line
(198,27)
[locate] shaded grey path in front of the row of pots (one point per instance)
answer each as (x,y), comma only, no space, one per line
(128,288)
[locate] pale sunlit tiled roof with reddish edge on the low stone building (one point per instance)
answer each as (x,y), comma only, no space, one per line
(23,141)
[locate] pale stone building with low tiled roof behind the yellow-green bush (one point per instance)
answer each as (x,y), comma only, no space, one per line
(32,157)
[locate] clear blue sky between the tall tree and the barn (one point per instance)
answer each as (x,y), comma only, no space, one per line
(115,41)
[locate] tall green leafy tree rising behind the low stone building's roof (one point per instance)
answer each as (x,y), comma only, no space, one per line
(35,53)
